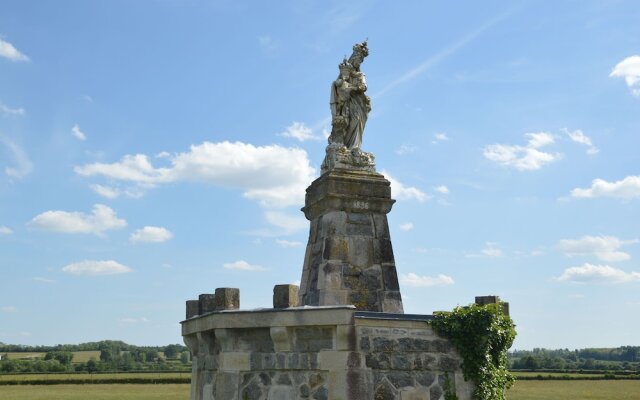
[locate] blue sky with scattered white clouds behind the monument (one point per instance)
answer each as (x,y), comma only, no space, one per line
(151,151)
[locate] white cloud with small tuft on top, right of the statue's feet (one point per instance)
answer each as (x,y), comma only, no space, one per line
(523,158)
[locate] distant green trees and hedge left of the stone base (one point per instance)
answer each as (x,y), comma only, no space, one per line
(114,356)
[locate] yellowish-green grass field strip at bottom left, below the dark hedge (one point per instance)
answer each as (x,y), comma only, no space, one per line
(96,392)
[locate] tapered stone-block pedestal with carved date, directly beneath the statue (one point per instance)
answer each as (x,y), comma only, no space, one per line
(349,257)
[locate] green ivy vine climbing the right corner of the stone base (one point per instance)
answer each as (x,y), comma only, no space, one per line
(482,334)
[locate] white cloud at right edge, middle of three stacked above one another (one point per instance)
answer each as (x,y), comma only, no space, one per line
(605,248)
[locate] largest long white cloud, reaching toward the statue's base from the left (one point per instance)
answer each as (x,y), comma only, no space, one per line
(275,176)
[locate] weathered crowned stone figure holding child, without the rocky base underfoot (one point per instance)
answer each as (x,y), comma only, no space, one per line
(350,105)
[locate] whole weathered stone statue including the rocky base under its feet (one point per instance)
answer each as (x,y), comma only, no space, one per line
(350,107)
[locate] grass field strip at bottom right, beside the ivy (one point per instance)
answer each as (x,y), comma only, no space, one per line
(574,390)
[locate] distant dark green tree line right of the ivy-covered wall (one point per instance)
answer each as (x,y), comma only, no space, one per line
(625,358)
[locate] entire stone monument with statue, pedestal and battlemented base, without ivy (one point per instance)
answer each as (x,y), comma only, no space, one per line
(342,335)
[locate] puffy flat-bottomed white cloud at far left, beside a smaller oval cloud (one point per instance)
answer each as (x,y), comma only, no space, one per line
(101,219)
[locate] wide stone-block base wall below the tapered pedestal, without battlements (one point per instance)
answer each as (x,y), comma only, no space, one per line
(320,353)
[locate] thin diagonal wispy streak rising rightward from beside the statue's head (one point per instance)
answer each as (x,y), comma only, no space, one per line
(441,56)
